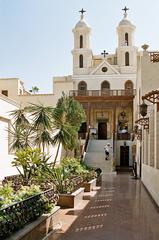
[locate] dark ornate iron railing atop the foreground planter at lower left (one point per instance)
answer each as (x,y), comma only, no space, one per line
(15,216)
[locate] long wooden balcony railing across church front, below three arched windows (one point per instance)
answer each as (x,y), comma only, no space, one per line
(102,93)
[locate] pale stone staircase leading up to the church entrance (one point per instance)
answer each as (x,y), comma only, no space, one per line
(95,155)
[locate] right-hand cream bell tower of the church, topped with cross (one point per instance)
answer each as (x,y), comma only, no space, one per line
(126,50)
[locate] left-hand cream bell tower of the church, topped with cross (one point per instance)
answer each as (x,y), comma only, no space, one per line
(82,54)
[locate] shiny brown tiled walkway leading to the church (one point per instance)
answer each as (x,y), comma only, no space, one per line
(121,210)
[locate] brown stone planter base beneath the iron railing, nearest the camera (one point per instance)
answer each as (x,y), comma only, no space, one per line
(40,228)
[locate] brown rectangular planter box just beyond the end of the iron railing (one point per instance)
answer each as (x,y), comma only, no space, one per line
(71,200)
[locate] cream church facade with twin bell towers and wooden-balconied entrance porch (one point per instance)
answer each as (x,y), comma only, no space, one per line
(105,85)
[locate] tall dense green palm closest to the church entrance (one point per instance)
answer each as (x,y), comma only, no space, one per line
(68,116)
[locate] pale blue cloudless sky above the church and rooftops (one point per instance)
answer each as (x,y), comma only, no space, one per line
(36,36)
